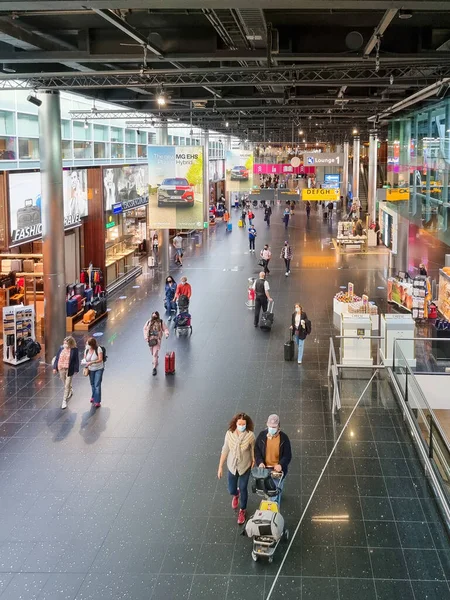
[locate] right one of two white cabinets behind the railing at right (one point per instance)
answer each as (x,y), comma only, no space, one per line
(397,328)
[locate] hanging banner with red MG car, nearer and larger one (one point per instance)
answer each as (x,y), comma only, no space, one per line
(175,183)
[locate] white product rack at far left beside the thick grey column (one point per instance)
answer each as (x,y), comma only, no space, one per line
(18,323)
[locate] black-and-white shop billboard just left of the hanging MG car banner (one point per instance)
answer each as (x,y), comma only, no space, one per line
(126,187)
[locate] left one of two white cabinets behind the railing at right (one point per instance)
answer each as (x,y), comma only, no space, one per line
(356,352)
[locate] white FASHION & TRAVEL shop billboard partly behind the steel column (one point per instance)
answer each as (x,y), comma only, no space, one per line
(25,203)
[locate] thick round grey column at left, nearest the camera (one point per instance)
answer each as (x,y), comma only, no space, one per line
(52,216)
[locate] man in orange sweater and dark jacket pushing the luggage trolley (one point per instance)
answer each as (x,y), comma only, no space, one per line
(273,449)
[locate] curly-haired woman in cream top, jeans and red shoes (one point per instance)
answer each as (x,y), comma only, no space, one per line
(239,452)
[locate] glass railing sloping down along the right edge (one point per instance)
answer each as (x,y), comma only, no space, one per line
(423,392)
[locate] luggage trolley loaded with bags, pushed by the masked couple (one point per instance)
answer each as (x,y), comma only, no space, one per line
(266,526)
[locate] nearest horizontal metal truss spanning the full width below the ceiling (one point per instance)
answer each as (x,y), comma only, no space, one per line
(394,77)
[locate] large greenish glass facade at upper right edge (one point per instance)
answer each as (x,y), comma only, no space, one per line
(419,159)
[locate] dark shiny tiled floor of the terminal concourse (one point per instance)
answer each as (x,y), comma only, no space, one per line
(123,502)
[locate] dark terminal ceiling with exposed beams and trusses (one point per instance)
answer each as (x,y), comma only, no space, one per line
(322,66)
